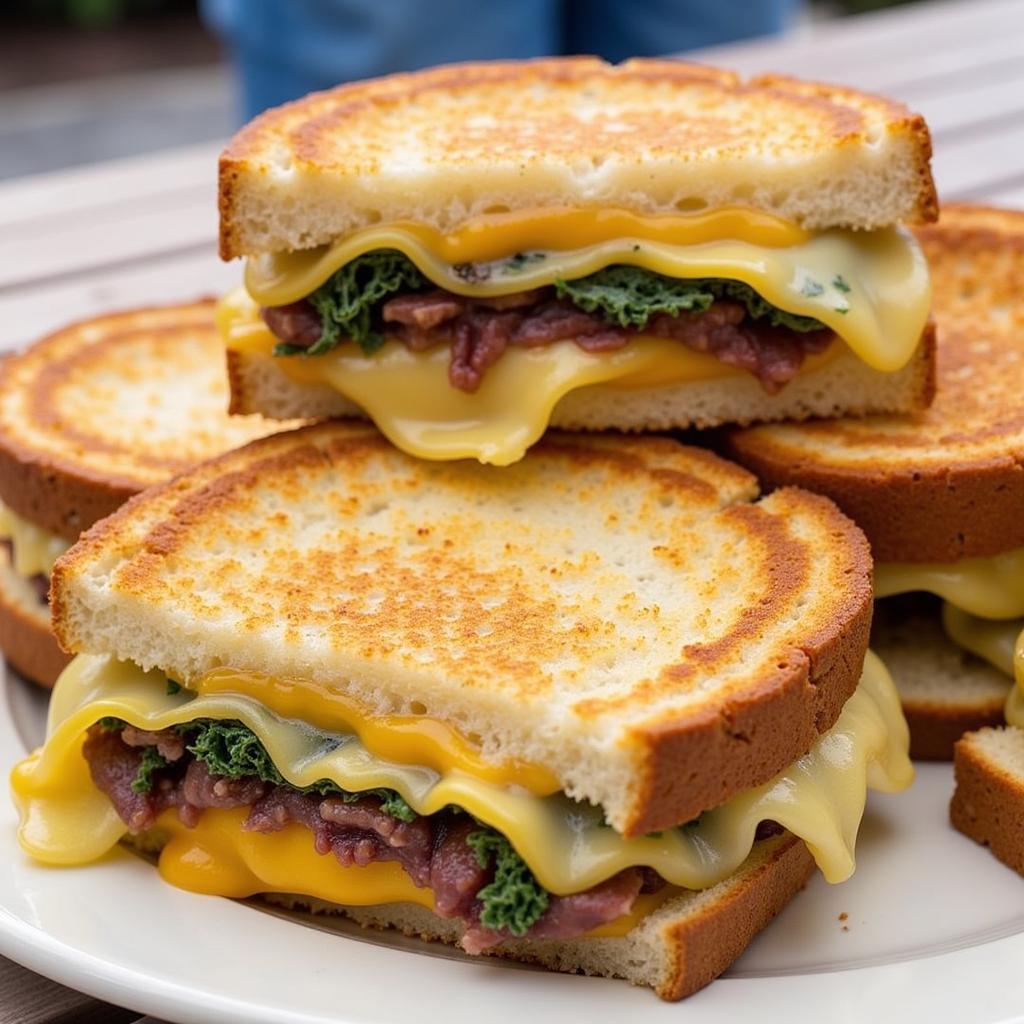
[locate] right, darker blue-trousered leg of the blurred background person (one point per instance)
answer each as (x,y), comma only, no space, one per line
(617,30)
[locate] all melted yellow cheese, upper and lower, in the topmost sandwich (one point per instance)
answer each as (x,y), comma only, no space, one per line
(872,288)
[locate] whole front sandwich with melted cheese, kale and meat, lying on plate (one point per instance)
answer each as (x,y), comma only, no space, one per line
(603,710)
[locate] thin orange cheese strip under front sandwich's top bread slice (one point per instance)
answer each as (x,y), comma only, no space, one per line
(411,740)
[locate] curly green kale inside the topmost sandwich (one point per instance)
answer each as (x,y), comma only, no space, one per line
(349,302)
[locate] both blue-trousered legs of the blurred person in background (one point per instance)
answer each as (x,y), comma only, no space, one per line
(283,50)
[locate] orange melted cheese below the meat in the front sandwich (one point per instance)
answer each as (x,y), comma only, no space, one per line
(220,859)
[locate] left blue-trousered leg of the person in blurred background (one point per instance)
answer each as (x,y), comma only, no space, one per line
(283,50)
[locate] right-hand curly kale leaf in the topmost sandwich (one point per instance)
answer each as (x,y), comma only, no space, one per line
(629,296)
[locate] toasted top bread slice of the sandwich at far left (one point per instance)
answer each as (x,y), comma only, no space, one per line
(52,464)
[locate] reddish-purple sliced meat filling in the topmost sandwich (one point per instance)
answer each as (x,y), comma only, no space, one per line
(480,331)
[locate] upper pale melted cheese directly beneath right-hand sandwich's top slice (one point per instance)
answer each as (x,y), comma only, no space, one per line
(990,588)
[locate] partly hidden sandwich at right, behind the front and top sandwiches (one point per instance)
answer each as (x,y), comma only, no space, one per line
(941,494)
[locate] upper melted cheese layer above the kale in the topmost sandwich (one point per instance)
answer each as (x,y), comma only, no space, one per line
(872,288)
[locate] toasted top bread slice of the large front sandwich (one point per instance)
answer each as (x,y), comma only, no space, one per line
(678,757)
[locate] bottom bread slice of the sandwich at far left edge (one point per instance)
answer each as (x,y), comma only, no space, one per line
(25,628)
